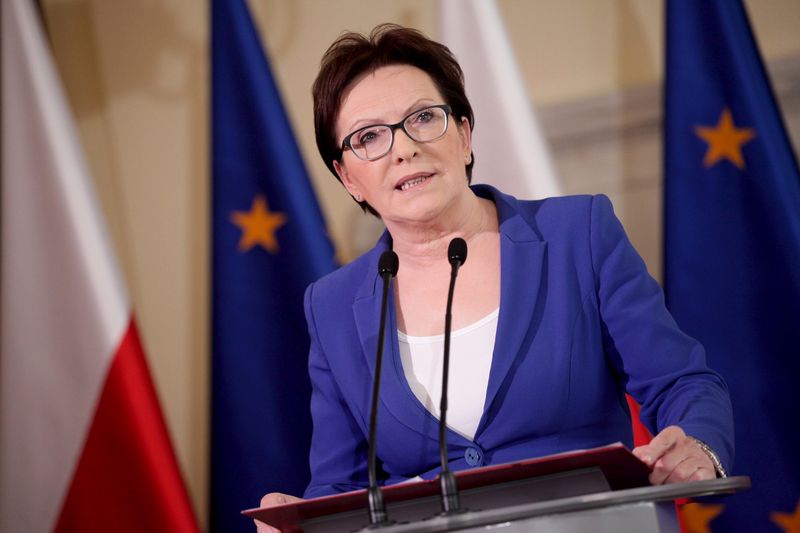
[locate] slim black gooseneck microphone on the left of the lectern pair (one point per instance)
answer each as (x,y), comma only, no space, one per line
(387,269)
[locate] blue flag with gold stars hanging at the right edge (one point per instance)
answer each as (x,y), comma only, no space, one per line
(732,248)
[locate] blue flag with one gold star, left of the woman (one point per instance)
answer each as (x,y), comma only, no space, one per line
(269,243)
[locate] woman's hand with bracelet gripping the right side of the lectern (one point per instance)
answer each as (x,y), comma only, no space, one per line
(674,457)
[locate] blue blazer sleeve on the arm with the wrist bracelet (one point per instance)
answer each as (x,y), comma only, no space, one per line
(662,368)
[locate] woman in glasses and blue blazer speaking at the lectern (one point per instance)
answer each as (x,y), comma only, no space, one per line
(557,314)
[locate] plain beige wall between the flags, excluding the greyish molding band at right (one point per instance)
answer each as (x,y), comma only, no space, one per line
(137,76)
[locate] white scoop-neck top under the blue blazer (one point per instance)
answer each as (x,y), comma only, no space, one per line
(471,351)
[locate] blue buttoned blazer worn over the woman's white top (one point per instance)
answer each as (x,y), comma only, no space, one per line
(581,322)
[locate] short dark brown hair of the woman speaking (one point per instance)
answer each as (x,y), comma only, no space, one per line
(354,54)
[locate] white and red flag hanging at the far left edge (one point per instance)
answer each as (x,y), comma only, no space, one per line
(83,444)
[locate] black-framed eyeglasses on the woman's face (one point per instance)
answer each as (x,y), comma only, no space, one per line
(375,141)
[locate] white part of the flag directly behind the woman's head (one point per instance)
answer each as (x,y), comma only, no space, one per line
(510,148)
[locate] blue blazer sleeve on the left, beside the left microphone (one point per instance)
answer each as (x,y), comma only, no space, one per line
(339,448)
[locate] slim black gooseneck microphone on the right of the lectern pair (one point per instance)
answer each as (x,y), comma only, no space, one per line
(456,255)
